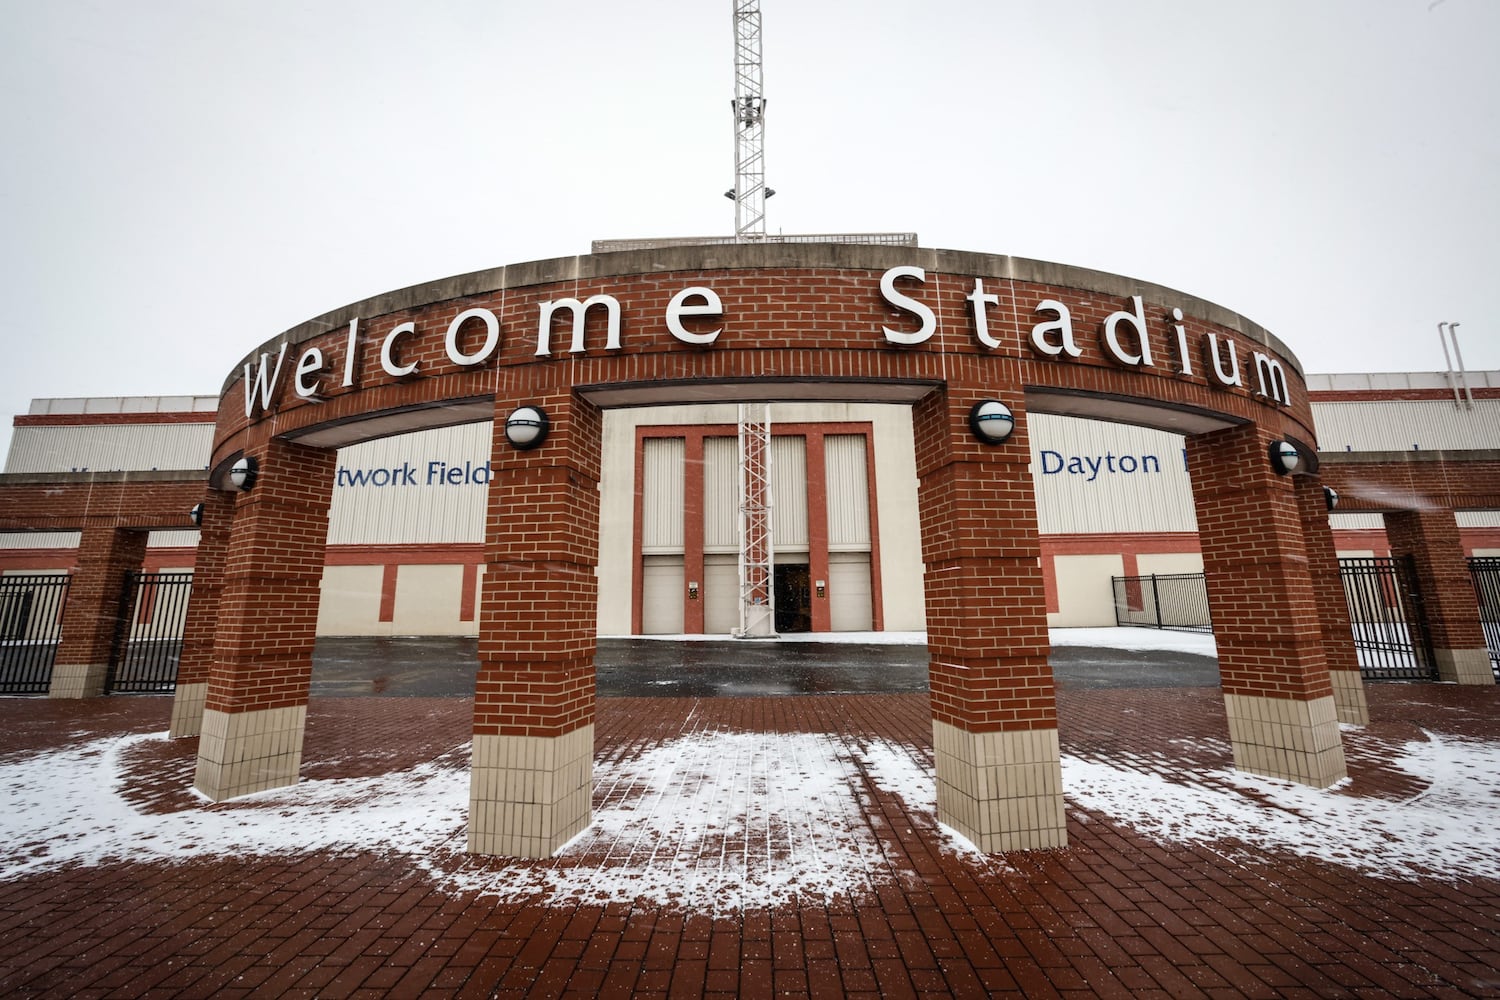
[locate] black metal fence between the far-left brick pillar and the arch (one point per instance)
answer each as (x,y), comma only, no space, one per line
(151,638)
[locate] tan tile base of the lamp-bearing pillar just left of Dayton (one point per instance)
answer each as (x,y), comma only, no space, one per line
(1001,791)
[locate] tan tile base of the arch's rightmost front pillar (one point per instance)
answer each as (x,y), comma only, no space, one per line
(1285,738)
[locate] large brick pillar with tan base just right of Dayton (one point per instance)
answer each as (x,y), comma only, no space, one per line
(1283,719)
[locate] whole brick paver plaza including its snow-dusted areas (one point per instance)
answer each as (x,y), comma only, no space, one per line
(725,861)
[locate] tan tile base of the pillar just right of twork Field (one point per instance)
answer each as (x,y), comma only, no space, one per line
(530,795)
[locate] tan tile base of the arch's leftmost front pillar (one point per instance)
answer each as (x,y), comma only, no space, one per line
(250,752)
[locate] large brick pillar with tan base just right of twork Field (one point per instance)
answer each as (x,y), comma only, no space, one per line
(530,788)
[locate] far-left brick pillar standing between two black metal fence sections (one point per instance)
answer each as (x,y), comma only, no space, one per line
(95,609)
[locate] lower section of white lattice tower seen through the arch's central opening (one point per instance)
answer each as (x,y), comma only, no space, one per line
(757,549)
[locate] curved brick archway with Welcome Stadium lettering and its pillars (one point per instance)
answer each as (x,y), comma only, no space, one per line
(931,329)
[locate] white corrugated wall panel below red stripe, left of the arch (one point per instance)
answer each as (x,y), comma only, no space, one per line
(110,449)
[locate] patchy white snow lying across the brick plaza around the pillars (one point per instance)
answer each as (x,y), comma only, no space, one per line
(727,821)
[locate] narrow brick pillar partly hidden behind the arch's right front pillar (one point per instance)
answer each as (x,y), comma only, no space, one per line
(1333,606)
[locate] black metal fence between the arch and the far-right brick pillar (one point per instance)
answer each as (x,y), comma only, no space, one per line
(1388,618)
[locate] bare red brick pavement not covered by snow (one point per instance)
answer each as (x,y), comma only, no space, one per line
(1117,914)
